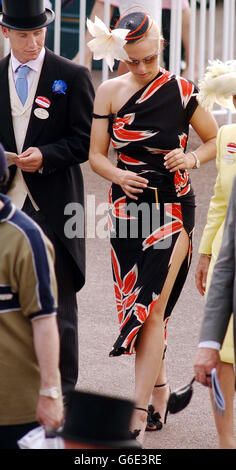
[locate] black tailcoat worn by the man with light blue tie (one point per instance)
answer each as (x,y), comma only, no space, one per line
(63,139)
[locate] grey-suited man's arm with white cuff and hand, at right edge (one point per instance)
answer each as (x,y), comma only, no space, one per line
(221,301)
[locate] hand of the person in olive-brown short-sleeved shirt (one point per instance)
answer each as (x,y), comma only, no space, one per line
(49,412)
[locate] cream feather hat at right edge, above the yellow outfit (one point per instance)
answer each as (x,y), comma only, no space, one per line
(218,85)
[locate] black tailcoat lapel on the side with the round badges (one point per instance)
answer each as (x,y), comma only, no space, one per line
(46,79)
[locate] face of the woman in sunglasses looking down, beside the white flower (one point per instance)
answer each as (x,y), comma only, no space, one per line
(143,59)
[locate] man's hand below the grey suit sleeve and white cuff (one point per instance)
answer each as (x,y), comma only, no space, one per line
(206,359)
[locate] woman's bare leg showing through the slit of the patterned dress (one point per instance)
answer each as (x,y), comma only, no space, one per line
(150,342)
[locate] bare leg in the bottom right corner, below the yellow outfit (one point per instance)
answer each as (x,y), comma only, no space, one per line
(225,423)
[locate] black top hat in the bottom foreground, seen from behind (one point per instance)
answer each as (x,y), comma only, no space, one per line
(98,420)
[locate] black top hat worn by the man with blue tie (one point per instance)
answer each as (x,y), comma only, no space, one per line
(25,15)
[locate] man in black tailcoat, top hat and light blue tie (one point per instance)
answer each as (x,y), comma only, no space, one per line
(45,114)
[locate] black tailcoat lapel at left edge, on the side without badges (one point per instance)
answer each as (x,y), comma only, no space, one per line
(5,108)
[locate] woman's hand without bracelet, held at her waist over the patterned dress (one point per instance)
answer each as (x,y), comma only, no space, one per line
(131,183)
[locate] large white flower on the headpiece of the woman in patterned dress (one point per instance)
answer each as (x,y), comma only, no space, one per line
(107,44)
